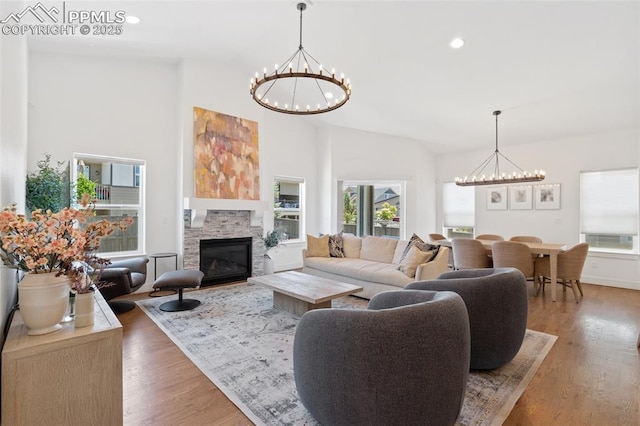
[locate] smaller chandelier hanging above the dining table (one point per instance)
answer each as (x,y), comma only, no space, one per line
(497,177)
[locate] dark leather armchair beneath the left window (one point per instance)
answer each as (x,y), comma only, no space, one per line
(125,276)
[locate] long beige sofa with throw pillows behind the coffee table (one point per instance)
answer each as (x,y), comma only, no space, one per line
(376,264)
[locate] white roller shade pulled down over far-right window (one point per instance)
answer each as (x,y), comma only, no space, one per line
(609,202)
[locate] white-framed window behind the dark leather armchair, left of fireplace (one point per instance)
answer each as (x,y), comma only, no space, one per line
(117,185)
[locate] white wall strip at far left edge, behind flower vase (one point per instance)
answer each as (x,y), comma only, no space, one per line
(13,145)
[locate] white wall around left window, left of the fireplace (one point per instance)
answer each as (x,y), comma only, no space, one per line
(113,107)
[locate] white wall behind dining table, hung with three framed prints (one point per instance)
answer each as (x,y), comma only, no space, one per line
(562,160)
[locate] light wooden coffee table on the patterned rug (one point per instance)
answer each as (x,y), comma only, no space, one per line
(298,293)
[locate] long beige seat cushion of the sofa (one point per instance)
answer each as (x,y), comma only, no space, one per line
(360,269)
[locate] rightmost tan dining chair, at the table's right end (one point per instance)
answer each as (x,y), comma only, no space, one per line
(570,264)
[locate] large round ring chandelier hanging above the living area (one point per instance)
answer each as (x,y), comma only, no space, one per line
(305,87)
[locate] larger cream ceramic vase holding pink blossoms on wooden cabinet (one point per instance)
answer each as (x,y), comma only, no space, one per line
(43,300)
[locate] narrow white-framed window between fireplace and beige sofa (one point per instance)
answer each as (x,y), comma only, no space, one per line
(288,198)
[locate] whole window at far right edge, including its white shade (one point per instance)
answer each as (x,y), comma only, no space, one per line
(609,210)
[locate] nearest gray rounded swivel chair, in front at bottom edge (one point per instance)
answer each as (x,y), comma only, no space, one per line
(403,361)
